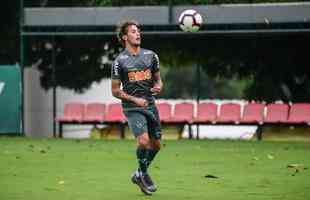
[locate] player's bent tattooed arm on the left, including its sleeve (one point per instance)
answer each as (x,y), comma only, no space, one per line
(118,92)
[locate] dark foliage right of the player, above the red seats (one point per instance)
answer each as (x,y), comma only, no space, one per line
(273,67)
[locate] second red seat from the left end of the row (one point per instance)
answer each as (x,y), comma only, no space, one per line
(94,112)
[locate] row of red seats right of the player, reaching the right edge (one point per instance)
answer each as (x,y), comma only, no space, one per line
(253,113)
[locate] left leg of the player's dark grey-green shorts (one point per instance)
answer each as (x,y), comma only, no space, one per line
(137,122)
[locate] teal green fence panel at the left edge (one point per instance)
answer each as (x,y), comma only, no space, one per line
(10,100)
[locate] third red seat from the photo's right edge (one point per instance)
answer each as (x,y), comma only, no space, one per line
(253,113)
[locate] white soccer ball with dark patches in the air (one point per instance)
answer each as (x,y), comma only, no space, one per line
(190,20)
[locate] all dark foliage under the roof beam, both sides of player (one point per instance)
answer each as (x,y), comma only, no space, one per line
(257,68)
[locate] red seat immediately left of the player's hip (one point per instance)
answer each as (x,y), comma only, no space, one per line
(114,113)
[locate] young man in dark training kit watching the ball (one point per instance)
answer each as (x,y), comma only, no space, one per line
(135,80)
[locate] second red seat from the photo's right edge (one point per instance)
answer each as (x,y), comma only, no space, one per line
(276,113)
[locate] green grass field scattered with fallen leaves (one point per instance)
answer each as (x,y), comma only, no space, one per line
(50,169)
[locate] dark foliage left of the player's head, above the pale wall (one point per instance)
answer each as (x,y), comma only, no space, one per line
(80,61)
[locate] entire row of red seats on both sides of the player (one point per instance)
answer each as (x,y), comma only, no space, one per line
(207,113)
